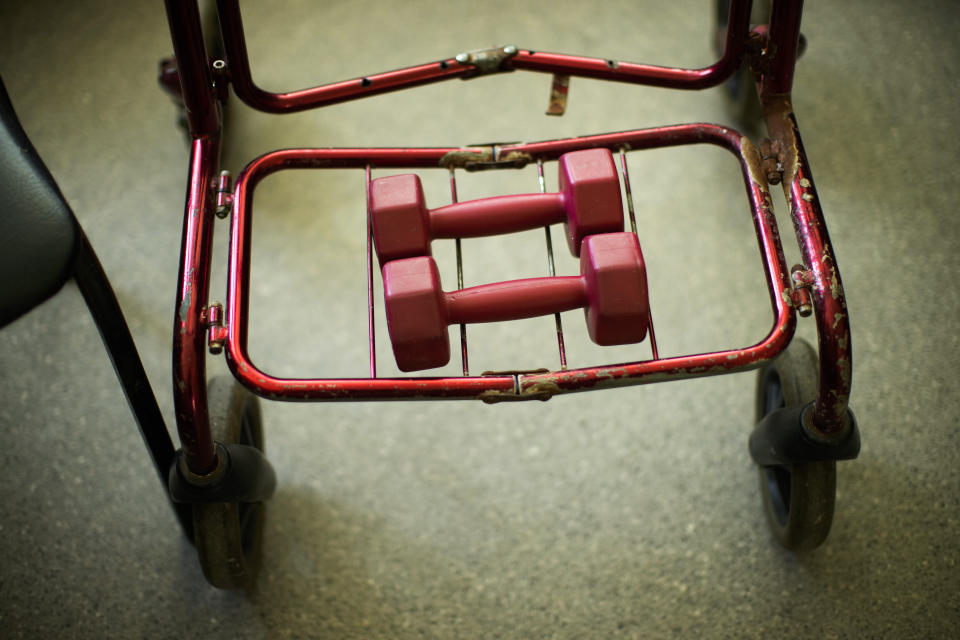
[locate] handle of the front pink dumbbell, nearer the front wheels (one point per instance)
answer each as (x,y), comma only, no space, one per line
(515,299)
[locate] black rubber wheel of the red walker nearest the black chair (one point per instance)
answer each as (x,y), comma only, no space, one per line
(229,535)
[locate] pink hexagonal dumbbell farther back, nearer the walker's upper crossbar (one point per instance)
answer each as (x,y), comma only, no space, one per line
(588,202)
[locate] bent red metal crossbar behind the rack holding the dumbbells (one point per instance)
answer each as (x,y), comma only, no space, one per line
(554,63)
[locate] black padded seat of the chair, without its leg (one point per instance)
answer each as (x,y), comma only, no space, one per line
(38,232)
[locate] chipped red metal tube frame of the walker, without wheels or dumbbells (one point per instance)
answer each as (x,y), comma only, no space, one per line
(772,54)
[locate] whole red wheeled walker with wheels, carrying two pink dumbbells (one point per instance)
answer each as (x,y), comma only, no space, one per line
(219,479)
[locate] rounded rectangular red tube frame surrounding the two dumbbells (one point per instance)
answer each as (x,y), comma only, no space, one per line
(496,387)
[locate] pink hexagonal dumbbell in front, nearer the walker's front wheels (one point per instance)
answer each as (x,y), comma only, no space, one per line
(612,289)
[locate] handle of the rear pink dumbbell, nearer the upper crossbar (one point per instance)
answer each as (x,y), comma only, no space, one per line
(497,215)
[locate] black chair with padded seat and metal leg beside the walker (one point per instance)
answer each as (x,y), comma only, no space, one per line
(41,247)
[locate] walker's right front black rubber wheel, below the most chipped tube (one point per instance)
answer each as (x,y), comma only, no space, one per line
(799,498)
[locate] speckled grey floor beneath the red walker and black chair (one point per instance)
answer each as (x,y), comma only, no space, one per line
(628,513)
